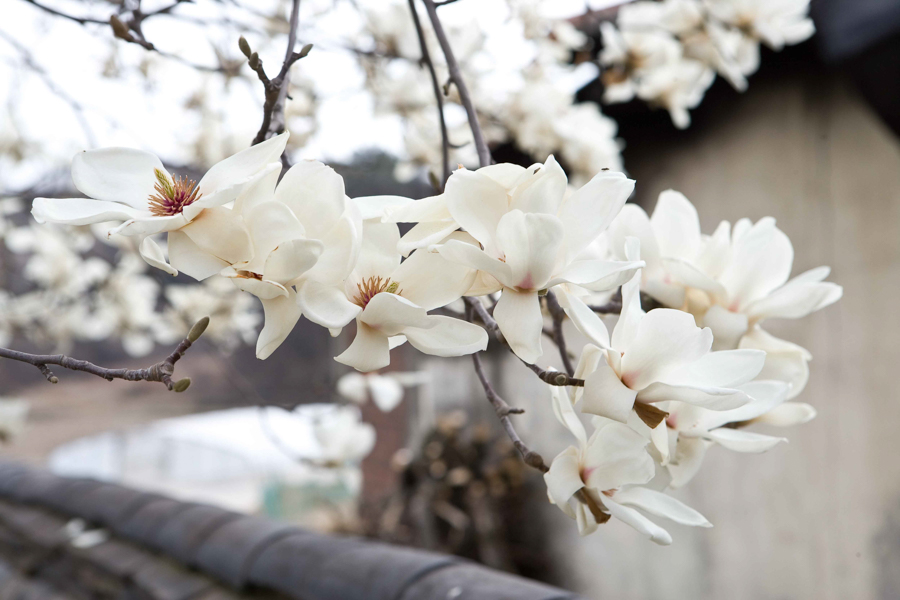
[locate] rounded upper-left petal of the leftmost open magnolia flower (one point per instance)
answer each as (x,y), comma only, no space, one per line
(117,175)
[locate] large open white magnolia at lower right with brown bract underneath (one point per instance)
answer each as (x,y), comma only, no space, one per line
(654,357)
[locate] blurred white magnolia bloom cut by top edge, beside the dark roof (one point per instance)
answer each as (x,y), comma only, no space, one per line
(776,22)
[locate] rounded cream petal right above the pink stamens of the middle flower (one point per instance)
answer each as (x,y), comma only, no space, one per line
(431,281)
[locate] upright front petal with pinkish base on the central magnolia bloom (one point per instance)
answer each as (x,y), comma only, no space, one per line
(531,244)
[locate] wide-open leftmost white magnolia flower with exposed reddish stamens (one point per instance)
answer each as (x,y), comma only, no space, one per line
(123,184)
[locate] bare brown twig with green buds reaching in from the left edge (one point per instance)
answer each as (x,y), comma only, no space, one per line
(161,371)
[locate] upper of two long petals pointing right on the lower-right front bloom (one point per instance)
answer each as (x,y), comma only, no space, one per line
(727,368)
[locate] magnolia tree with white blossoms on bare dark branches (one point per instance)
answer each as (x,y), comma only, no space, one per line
(676,358)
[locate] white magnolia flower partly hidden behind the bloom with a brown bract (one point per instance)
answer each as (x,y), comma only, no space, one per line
(692,430)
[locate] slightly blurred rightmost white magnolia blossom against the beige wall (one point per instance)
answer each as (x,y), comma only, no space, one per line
(731,281)
